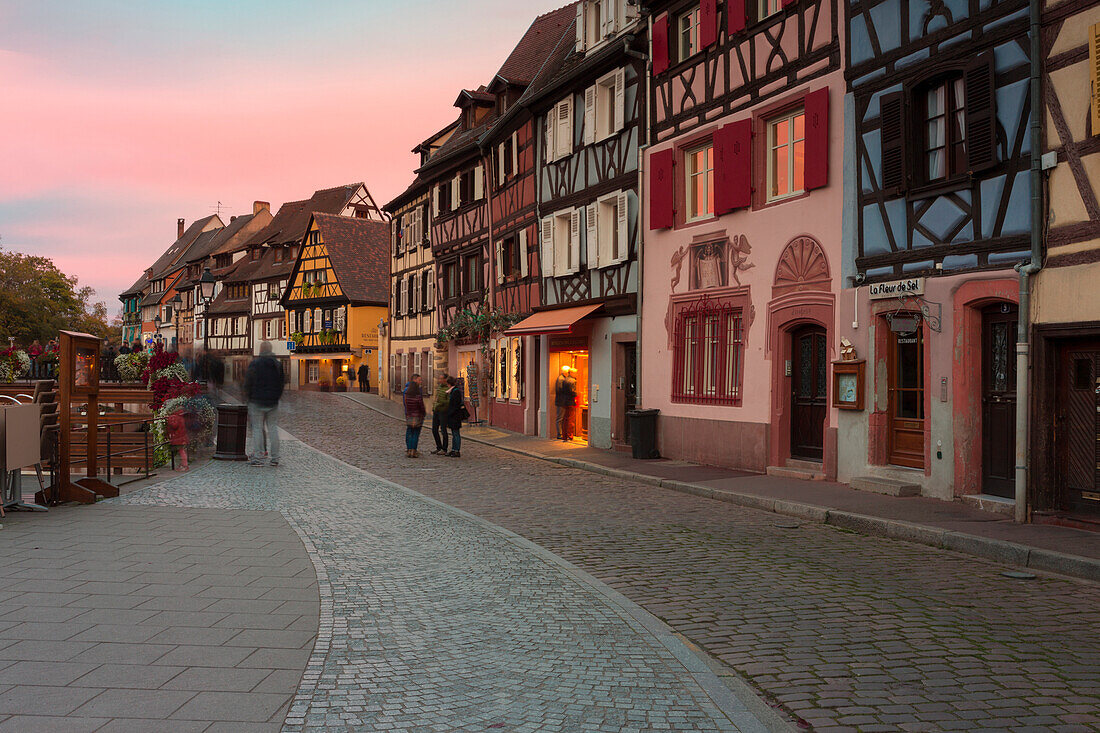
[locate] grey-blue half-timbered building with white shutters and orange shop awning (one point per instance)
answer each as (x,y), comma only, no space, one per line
(589,107)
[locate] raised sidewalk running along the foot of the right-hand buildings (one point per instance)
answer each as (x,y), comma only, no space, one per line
(950,526)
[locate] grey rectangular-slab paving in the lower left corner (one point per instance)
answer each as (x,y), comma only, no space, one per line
(102,618)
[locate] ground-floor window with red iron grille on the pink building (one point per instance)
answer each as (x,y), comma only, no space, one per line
(709,353)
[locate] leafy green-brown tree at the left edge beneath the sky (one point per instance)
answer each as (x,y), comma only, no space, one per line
(38,300)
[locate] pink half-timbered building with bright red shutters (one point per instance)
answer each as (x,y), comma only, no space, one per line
(743,235)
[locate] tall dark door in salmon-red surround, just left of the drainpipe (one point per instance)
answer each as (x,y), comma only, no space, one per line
(999,400)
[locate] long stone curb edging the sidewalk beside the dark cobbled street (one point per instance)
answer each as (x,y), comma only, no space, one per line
(998,551)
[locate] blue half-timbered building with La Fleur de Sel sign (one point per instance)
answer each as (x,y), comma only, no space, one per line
(938,213)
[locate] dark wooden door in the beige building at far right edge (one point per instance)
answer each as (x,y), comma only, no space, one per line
(1077,428)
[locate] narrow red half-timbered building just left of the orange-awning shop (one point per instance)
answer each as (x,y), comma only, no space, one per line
(511,160)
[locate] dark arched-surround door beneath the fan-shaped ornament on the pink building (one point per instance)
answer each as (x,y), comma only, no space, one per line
(808,392)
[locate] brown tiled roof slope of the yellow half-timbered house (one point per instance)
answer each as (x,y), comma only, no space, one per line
(359,251)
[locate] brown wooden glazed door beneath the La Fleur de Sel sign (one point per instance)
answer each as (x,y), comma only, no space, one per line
(906,389)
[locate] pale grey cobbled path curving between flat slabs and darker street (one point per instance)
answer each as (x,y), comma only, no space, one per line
(433,620)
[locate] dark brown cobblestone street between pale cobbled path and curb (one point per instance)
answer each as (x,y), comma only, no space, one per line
(843,631)
